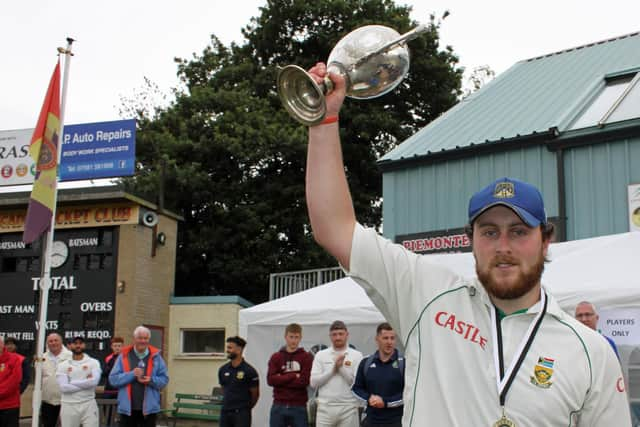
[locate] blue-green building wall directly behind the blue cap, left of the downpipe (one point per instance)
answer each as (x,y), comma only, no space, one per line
(436,196)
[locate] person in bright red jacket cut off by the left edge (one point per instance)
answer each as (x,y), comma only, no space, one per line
(10,377)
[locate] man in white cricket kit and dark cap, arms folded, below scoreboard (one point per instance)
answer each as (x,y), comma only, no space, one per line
(78,378)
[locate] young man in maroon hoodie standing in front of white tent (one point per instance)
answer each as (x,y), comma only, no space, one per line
(289,372)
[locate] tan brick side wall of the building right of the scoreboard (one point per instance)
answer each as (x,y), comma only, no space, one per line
(149,281)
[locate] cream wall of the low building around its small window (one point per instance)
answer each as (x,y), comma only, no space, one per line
(197,374)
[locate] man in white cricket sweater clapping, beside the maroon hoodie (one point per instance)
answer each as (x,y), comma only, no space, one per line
(332,374)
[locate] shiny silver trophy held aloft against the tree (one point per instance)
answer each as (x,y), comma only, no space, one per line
(373,60)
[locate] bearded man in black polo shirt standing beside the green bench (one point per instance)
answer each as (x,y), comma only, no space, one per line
(240,386)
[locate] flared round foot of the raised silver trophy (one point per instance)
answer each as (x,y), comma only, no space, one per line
(302,97)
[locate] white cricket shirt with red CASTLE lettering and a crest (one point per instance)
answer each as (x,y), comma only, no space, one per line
(570,376)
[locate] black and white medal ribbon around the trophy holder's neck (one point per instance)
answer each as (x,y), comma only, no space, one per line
(505,379)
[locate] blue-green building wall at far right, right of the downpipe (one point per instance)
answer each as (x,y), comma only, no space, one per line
(596,181)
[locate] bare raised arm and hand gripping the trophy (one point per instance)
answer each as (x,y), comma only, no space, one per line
(328,199)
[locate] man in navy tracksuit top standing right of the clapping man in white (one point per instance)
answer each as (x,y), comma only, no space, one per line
(380,381)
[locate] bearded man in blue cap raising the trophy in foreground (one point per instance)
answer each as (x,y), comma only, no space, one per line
(493,351)
